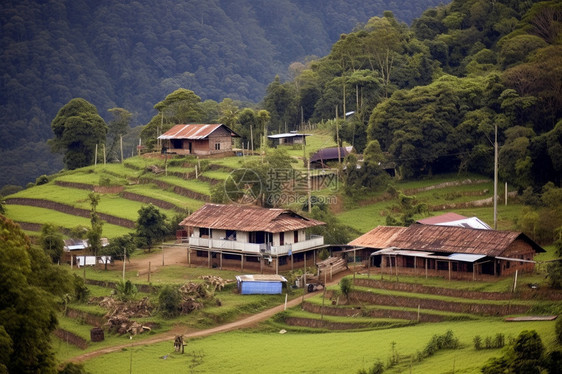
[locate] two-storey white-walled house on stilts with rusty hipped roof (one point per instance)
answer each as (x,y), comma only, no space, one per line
(251,238)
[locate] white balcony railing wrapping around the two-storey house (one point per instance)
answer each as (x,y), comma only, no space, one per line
(220,244)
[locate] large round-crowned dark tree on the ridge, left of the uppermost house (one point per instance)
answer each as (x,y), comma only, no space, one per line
(78,128)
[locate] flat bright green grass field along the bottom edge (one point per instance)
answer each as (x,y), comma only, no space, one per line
(343,352)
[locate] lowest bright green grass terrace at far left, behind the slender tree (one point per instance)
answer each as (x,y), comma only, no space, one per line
(24,213)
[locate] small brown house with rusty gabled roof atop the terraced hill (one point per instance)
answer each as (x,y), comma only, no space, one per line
(198,139)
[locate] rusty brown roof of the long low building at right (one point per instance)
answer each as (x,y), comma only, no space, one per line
(446,239)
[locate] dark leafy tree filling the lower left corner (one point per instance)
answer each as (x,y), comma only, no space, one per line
(27,310)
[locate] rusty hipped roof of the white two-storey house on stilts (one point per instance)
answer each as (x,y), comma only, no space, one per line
(248,218)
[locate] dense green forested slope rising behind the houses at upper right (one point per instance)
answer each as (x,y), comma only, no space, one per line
(429,97)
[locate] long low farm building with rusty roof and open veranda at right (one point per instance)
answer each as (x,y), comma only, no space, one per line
(452,252)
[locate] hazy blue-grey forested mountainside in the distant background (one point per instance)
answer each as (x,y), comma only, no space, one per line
(131,54)
